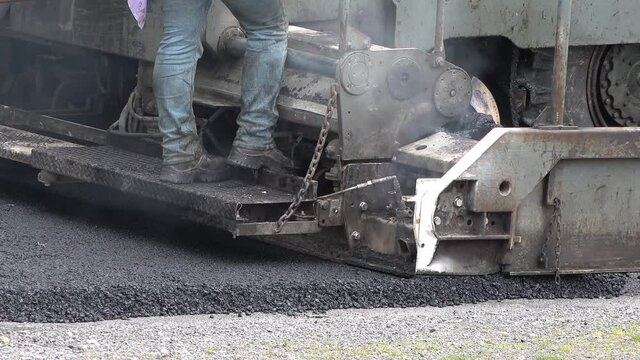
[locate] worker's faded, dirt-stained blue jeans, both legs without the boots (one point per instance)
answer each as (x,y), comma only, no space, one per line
(265,25)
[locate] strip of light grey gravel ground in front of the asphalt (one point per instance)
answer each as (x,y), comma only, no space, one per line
(514,329)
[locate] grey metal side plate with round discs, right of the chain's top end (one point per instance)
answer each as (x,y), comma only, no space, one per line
(377,115)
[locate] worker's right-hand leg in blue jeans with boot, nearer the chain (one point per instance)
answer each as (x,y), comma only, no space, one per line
(265,24)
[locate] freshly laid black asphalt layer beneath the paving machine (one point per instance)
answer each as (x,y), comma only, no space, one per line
(65,259)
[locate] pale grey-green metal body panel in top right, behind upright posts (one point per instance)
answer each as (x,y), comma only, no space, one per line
(529,24)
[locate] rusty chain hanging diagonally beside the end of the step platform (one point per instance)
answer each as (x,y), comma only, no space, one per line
(315,161)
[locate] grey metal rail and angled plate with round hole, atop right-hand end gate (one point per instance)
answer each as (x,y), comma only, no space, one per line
(512,167)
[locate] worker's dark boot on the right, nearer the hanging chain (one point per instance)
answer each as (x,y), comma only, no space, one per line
(272,159)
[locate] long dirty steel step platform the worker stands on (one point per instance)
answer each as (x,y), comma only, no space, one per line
(244,207)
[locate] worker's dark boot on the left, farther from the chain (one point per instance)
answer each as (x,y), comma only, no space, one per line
(206,169)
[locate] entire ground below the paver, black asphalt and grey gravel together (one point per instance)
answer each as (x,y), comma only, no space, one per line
(83,254)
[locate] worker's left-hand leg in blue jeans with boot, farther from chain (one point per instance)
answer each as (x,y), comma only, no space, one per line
(173,78)
